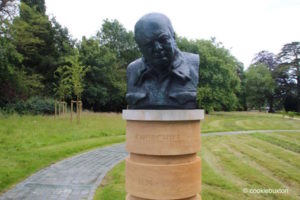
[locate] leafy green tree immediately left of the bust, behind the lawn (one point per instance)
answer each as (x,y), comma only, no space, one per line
(106,80)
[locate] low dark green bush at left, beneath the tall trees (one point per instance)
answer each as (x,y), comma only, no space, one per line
(35,105)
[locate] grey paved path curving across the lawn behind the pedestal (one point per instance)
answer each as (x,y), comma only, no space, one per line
(78,177)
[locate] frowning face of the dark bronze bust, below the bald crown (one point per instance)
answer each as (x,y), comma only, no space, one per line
(157,44)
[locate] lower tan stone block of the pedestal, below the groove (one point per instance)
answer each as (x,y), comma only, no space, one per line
(167,181)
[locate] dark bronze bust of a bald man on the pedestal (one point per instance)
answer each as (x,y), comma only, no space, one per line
(165,77)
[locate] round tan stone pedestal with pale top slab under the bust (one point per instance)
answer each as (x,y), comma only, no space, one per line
(163,164)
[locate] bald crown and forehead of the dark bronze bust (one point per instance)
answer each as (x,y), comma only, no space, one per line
(152,24)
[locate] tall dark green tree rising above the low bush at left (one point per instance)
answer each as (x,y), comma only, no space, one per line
(43,43)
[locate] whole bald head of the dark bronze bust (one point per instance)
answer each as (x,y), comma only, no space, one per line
(155,37)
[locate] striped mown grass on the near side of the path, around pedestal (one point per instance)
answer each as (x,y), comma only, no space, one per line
(232,163)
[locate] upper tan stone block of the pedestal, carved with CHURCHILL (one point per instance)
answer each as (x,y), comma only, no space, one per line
(163,137)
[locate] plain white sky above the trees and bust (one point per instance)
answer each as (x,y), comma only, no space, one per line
(243,26)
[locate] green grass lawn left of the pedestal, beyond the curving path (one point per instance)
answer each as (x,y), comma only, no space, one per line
(30,143)
